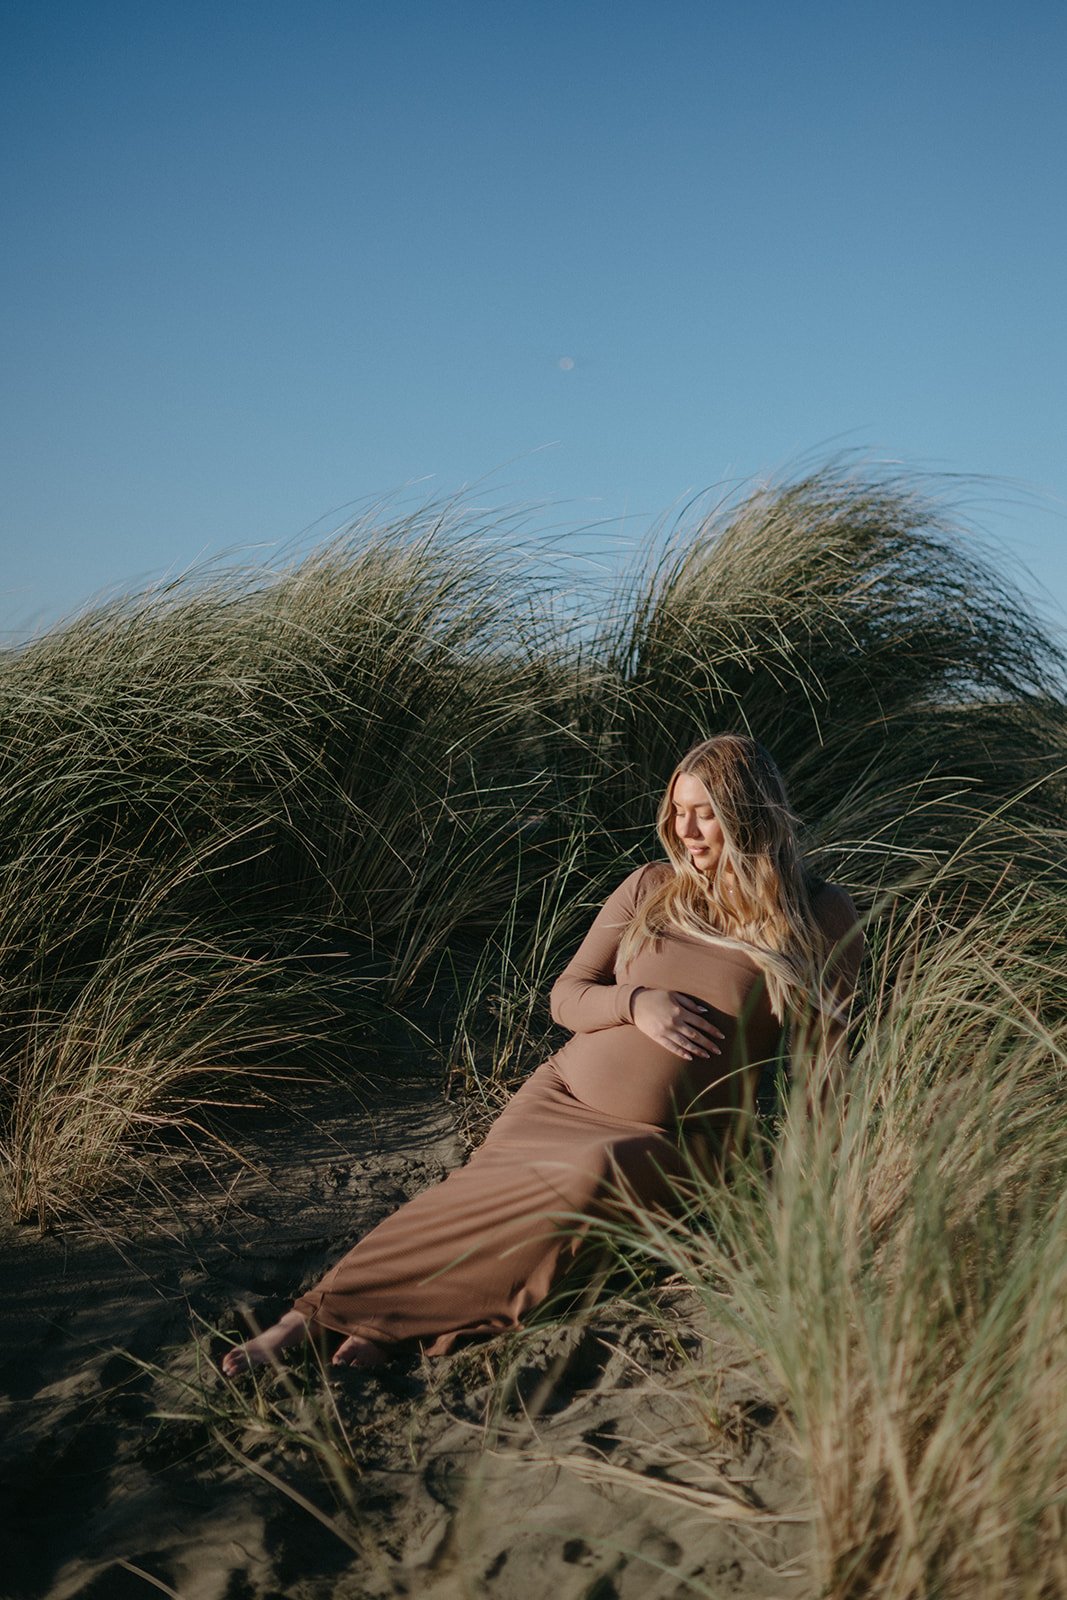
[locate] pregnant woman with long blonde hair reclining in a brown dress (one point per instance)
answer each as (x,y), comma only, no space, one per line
(676,999)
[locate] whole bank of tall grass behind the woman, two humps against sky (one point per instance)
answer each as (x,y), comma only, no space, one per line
(258,822)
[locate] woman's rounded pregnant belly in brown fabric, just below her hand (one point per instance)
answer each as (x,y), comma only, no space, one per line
(623,1073)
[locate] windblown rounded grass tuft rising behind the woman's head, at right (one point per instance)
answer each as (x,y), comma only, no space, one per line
(900,681)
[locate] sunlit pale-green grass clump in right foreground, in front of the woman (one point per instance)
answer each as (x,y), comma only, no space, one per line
(903,1279)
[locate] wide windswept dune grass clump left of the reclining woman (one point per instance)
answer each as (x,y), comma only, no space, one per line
(244,818)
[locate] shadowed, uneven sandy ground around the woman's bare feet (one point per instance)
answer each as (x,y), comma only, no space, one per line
(615,1457)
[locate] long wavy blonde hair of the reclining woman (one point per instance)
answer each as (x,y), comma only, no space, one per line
(769,914)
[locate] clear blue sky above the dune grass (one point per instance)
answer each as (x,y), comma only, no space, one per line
(266,260)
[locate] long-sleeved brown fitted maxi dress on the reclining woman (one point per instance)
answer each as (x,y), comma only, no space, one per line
(597,1127)
